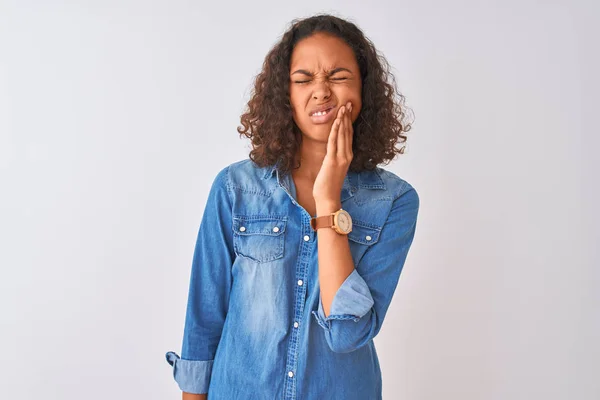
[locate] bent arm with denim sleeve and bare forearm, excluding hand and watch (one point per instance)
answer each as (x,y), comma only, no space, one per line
(353,304)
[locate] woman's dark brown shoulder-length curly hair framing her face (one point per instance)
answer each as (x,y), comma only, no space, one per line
(268,120)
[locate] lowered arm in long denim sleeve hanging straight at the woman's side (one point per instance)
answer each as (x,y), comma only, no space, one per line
(208,296)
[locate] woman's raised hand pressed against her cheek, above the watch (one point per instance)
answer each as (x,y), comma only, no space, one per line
(328,185)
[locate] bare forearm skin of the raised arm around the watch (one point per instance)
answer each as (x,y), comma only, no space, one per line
(335,258)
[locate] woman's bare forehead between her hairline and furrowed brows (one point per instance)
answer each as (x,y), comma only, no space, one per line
(322,51)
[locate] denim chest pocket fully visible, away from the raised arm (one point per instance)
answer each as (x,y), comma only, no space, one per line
(258,237)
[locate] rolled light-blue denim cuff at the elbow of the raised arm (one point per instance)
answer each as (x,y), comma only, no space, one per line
(352,301)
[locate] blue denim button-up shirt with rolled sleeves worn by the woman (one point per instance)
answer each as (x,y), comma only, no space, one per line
(255,326)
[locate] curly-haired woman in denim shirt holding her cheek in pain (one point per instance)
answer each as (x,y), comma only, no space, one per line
(301,246)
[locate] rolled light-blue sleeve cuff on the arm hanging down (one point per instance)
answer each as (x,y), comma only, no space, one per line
(191,376)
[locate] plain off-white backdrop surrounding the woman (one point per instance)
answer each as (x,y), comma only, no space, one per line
(115,117)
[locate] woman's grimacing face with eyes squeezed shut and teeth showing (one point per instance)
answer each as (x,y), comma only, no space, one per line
(323,73)
